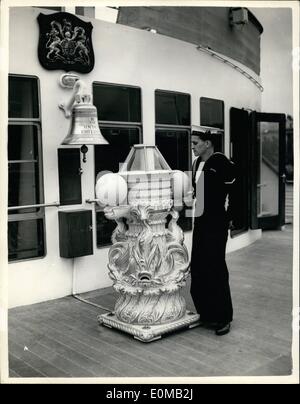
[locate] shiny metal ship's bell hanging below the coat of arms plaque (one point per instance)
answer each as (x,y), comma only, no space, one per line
(84,128)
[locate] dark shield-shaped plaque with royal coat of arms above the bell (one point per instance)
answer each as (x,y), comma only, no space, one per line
(65,43)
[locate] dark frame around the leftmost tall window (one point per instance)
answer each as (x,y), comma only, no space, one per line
(40,213)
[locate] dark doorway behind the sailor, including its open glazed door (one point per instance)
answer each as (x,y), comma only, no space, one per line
(257,143)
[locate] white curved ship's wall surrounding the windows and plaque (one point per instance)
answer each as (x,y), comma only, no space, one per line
(123,55)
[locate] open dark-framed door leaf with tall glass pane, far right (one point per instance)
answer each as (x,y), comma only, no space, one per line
(267,170)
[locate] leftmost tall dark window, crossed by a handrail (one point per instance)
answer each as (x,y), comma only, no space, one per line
(26,225)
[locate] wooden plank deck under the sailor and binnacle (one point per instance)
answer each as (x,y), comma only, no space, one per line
(61,338)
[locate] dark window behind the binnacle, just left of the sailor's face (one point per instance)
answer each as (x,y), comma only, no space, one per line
(172,134)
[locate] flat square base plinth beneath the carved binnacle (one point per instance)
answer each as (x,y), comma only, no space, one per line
(149,333)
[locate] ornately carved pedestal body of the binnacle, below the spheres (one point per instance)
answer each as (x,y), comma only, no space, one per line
(148,263)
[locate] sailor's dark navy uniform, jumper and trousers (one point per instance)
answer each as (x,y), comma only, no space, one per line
(210,279)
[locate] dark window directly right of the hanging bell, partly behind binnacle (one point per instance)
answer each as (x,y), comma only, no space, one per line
(119,114)
